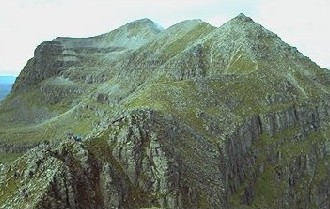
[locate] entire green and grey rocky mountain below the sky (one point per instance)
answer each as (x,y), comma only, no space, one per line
(191,116)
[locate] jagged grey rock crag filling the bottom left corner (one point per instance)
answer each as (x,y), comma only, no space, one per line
(61,173)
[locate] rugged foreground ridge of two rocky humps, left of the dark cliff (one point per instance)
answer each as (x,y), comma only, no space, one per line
(131,165)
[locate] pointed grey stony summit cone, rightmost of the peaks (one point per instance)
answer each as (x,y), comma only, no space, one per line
(242,37)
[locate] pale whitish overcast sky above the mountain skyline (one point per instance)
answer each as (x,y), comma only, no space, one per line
(24,24)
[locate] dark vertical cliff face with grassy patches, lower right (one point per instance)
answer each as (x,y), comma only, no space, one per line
(279,160)
